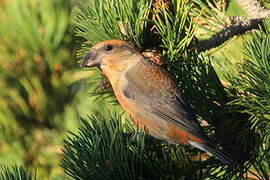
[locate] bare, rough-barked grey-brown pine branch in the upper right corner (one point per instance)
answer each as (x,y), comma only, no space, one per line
(236,25)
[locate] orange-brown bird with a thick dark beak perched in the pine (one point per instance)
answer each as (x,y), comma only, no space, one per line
(150,96)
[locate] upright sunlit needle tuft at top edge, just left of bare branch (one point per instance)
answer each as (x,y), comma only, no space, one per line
(175,28)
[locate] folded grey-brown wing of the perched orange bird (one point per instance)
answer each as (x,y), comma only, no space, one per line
(152,88)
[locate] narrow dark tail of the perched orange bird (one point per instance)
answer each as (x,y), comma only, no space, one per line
(223,156)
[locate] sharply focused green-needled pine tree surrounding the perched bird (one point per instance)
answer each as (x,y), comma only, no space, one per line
(233,106)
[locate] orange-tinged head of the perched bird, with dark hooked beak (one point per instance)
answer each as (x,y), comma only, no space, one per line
(109,53)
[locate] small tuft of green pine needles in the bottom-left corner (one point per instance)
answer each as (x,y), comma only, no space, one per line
(15,173)
